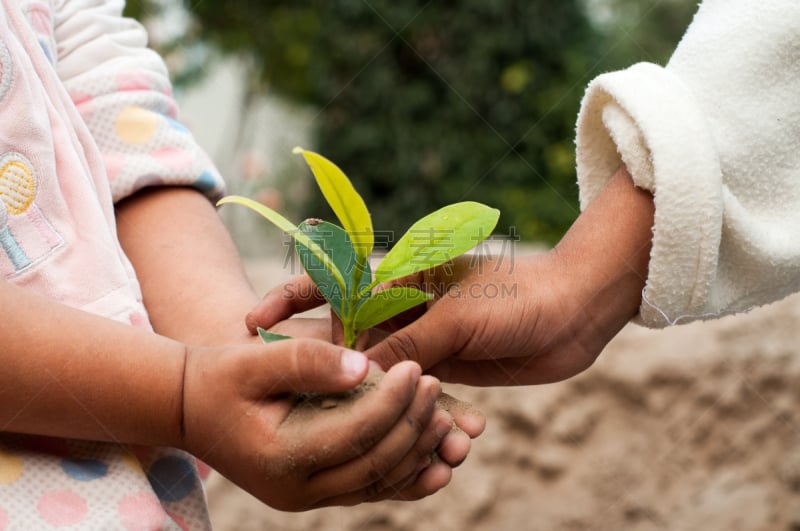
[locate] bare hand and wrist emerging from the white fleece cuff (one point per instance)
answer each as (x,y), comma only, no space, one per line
(534,319)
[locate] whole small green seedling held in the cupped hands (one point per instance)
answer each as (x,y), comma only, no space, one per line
(337,257)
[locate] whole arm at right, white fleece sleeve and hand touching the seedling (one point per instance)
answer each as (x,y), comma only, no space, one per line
(706,209)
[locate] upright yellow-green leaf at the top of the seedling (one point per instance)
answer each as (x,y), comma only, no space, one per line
(345,202)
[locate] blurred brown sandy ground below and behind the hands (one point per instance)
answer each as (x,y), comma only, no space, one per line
(692,428)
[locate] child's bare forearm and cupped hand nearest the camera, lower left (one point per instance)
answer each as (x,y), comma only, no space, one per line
(71,374)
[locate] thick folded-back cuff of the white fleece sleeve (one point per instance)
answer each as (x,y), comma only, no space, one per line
(646,118)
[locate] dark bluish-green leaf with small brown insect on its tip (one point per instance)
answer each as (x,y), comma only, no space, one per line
(336,244)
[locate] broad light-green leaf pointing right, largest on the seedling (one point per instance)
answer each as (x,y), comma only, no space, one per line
(438,238)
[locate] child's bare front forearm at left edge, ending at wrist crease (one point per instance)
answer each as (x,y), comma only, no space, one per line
(72,374)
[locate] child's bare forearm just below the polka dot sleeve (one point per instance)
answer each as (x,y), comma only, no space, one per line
(193,282)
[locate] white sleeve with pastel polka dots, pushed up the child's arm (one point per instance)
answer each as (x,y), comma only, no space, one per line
(122,90)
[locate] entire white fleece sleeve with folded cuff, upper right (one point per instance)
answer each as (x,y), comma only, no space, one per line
(715,136)
